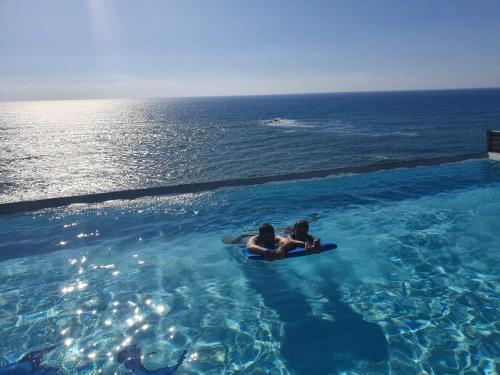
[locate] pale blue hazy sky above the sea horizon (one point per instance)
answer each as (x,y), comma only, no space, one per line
(125,48)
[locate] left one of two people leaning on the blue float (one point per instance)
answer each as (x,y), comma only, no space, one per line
(268,244)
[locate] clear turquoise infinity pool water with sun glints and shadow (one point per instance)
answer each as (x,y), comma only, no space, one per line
(412,289)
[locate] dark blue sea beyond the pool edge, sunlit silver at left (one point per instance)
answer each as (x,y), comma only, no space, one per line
(60,148)
